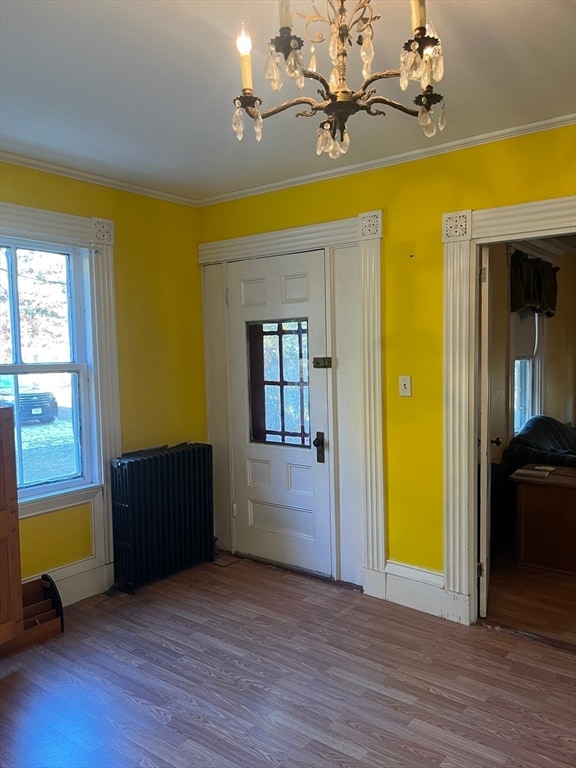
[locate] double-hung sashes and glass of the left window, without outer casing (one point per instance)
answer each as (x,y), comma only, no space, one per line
(45,363)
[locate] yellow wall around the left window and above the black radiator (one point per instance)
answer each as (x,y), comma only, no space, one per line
(159,320)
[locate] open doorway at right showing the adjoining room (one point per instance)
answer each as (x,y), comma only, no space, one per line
(531,371)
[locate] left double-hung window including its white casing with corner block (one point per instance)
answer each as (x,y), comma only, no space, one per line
(56,317)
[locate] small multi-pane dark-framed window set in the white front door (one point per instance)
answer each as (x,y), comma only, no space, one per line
(278,383)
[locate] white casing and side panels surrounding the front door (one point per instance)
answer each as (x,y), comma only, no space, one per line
(353,249)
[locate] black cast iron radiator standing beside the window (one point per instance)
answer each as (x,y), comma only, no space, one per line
(162,512)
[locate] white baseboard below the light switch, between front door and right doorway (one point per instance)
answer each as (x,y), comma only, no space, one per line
(417,588)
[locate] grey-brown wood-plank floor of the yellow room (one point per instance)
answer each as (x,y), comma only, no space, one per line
(249,666)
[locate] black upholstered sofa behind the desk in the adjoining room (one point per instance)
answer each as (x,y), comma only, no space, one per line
(542,440)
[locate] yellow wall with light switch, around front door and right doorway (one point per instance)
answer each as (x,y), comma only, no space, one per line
(413,197)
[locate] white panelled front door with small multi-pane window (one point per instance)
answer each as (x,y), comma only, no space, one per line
(278,408)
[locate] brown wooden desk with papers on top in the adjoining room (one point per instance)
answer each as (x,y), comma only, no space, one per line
(546,519)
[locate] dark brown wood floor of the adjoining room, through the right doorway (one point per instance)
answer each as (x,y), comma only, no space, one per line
(534,601)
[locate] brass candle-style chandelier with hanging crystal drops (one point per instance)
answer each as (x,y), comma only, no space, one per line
(420,60)
